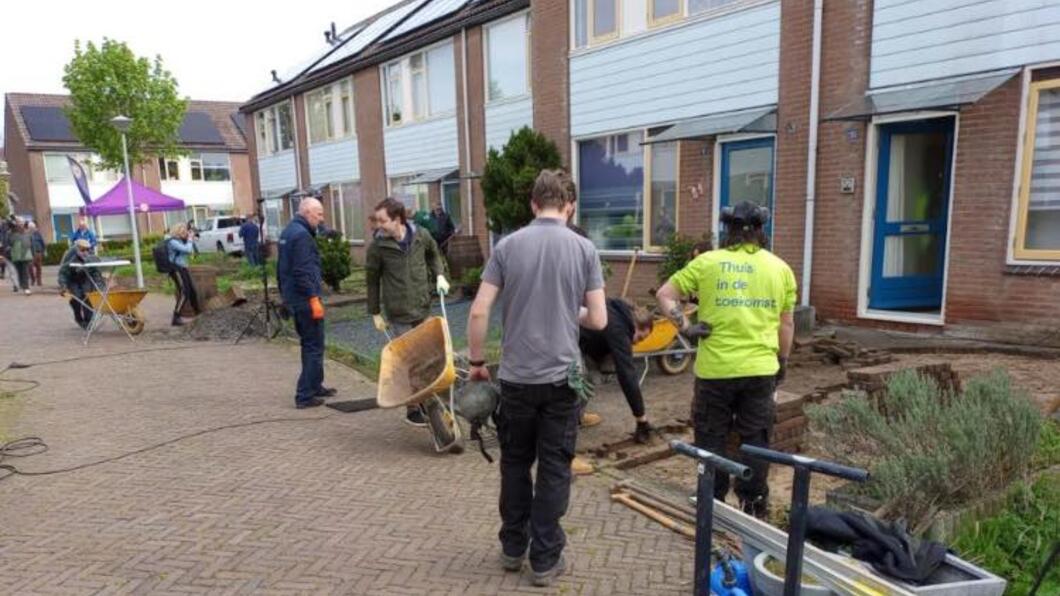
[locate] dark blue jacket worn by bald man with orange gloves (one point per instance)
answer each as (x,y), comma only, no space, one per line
(298,269)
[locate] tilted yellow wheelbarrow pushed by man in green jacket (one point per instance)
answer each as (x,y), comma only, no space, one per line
(415,370)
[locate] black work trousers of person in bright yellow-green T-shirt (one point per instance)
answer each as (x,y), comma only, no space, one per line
(745,406)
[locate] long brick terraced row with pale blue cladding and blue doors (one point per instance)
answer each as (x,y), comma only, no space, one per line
(667,111)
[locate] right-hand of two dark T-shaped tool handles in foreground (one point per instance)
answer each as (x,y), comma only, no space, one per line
(801,499)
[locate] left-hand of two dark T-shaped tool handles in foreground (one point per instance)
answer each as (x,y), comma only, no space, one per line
(705,505)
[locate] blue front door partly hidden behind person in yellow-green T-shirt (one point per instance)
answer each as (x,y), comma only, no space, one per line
(748,176)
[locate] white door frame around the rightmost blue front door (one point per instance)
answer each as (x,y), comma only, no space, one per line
(869,221)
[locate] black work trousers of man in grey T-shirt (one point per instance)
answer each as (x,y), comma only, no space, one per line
(536,423)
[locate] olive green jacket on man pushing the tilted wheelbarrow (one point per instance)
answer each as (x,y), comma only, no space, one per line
(401,283)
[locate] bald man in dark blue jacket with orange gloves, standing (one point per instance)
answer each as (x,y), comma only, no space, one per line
(299,278)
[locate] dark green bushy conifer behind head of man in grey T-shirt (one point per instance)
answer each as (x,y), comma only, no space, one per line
(509,177)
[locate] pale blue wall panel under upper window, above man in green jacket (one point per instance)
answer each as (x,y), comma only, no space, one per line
(426,146)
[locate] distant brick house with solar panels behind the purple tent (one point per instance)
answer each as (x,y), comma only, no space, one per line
(214,178)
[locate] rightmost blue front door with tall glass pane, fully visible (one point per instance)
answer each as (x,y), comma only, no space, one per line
(912,203)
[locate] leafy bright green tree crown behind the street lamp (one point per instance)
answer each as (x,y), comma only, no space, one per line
(110,81)
